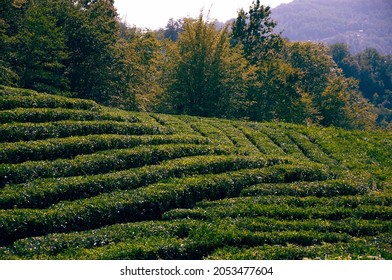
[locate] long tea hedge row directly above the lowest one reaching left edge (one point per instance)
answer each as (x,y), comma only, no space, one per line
(45,192)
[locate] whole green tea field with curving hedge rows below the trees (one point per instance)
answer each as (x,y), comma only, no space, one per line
(82,181)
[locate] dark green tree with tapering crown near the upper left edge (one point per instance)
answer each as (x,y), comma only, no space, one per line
(40,51)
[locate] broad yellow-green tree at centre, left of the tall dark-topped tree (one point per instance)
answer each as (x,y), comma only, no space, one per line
(206,78)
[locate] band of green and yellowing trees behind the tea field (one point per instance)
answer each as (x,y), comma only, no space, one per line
(245,70)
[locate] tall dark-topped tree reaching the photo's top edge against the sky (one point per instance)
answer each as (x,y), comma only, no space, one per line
(274,95)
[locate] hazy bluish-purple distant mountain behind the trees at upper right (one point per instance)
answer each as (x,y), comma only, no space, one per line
(358,23)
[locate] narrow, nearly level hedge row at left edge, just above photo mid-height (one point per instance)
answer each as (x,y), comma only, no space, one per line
(35,131)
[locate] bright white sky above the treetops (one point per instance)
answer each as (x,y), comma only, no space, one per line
(154,14)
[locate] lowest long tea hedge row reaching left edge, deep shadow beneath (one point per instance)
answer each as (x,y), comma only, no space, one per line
(134,205)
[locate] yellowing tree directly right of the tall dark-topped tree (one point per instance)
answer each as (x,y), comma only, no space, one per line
(332,98)
